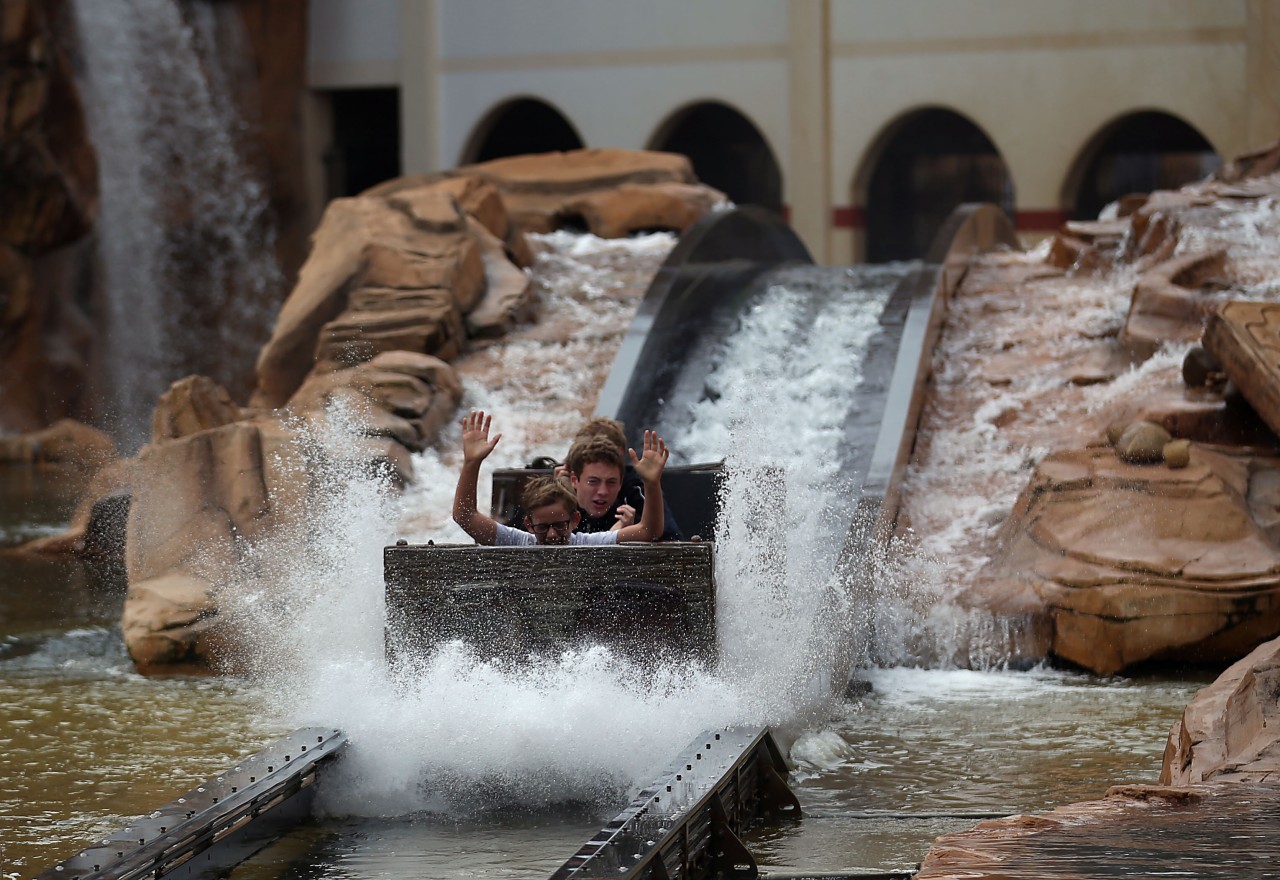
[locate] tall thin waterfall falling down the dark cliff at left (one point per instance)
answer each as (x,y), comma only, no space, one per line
(186,244)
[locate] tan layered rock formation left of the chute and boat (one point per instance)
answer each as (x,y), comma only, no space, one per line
(399,282)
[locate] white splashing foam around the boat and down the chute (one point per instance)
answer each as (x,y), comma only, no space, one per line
(458,732)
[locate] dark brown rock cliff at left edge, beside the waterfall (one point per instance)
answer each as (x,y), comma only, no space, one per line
(49,191)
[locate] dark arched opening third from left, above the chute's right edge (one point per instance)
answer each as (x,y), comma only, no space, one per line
(927,166)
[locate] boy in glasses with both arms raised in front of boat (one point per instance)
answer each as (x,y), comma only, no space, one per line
(551,506)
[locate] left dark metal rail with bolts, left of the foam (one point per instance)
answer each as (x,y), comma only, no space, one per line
(220,823)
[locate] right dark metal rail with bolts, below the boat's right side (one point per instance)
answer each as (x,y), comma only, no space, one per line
(688,824)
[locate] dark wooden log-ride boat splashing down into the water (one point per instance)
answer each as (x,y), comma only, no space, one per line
(644,601)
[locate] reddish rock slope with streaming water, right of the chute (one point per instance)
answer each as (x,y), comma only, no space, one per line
(1162,547)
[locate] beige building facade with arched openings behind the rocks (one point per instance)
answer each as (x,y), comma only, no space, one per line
(863,121)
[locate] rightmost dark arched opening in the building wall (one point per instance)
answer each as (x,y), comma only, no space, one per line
(1137,154)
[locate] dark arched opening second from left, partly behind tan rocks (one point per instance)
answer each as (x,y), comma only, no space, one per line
(728,153)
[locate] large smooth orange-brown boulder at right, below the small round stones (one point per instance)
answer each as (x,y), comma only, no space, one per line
(1131,565)
